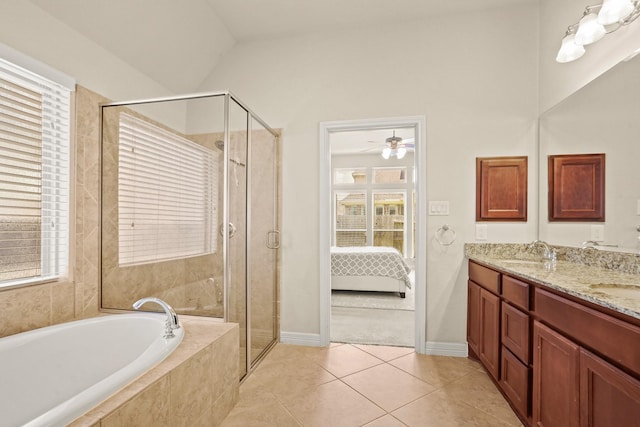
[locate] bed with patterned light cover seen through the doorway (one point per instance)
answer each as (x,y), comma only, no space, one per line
(369,268)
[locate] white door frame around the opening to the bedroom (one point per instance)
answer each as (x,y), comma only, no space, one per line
(326,128)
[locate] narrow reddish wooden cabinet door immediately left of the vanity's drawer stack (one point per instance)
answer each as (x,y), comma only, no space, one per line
(489,346)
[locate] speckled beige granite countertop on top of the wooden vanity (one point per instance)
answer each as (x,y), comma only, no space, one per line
(616,290)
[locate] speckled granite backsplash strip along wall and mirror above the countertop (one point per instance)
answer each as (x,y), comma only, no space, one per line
(622,262)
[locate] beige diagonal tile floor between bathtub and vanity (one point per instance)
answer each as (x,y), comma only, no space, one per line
(363,385)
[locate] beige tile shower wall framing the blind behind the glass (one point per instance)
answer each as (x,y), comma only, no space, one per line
(191,285)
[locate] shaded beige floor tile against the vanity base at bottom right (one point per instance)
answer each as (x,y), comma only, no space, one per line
(477,390)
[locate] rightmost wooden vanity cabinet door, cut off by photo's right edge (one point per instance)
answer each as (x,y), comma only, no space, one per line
(608,396)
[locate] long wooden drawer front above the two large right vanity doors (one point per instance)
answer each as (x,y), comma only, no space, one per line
(616,340)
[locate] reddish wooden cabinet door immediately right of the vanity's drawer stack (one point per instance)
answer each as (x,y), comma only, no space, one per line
(555,379)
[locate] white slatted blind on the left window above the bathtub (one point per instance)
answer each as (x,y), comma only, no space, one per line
(34,176)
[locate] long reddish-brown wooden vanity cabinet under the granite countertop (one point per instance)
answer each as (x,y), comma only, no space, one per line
(560,361)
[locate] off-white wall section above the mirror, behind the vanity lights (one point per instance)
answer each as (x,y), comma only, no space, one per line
(557,81)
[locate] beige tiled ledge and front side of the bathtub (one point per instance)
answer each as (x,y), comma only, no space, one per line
(196,385)
